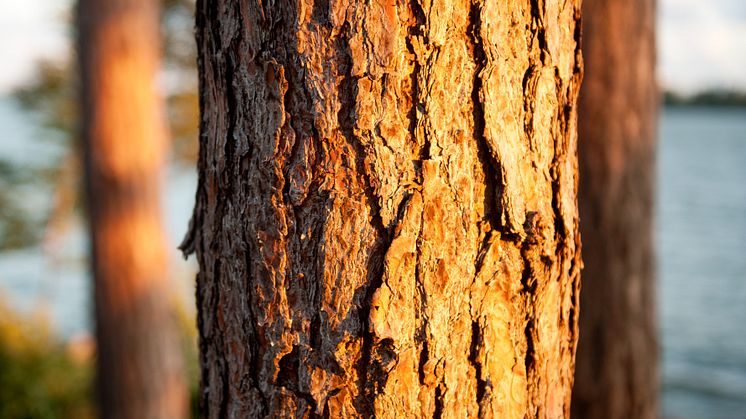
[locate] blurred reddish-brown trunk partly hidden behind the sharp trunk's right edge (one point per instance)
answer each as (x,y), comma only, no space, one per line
(617,373)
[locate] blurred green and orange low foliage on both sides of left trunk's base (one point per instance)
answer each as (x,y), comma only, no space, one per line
(42,377)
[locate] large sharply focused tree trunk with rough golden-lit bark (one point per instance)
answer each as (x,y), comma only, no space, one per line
(386,220)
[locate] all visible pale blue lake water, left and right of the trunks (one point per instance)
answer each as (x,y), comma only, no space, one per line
(700,236)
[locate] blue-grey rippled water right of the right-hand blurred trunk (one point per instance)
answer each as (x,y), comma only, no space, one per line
(701,240)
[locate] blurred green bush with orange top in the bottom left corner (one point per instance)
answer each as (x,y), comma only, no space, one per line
(39,376)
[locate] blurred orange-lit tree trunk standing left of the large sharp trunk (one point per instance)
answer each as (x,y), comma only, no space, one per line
(140,371)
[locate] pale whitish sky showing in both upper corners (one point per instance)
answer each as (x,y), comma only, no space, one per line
(701,43)
